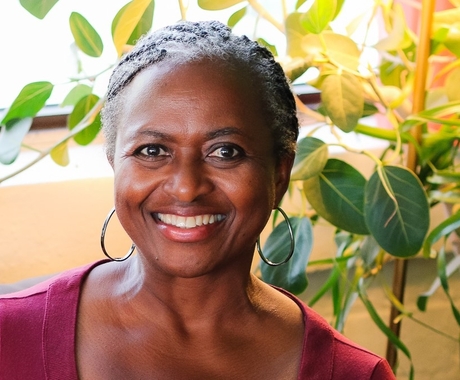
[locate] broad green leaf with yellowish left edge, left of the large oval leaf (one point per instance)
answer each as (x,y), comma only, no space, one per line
(337,195)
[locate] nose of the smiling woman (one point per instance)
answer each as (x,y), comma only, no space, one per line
(188,181)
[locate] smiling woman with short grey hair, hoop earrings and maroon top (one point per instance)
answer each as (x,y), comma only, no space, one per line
(201,131)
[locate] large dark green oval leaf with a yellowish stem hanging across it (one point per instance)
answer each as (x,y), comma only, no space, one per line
(396,210)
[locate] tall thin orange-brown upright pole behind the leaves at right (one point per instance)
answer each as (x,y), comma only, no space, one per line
(421,69)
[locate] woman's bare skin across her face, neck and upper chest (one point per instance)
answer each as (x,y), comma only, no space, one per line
(192,140)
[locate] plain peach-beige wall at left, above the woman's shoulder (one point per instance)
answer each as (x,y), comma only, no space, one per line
(49,227)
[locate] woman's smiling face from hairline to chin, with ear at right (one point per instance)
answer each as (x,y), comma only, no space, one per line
(195,173)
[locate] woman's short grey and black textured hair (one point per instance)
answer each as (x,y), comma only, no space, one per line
(188,41)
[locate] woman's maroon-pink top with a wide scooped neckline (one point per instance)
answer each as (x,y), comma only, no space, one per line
(37,337)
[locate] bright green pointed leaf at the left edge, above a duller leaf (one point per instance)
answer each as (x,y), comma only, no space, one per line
(30,100)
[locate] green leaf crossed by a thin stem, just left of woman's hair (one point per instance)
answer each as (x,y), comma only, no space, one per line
(81,109)
